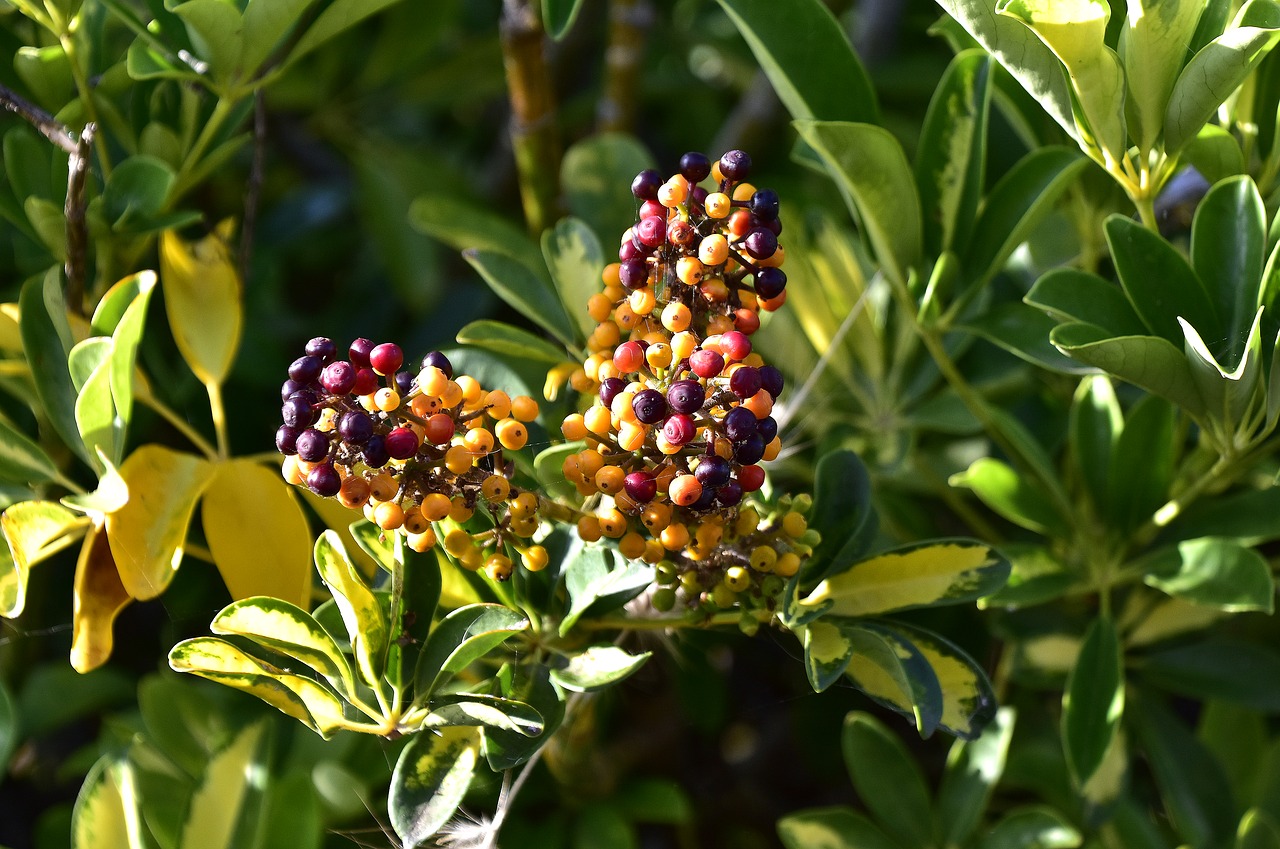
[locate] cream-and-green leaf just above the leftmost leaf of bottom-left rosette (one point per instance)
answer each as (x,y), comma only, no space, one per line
(290,631)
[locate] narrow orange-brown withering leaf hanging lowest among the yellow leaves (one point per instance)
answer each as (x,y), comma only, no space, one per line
(99,600)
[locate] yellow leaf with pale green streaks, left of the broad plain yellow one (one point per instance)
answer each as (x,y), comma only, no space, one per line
(148,533)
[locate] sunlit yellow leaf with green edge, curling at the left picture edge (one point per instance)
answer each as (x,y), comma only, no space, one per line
(33,532)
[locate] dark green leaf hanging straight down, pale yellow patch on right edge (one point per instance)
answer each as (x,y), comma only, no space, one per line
(1094,702)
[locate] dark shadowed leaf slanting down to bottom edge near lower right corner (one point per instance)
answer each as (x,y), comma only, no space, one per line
(1196,793)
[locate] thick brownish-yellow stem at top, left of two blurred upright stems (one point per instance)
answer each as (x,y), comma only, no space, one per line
(533,127)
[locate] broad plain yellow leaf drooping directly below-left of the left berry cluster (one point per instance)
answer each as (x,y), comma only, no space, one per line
(258,533)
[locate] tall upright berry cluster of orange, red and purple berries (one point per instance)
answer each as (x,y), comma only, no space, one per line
(683,410)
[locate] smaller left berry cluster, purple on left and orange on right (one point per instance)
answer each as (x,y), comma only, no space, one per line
(412,450)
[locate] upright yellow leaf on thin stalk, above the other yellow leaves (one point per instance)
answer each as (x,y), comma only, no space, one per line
(204,302)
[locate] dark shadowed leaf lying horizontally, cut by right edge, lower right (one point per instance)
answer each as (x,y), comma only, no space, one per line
(1217,668)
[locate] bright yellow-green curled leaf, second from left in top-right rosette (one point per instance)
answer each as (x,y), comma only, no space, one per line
(1076,31)
